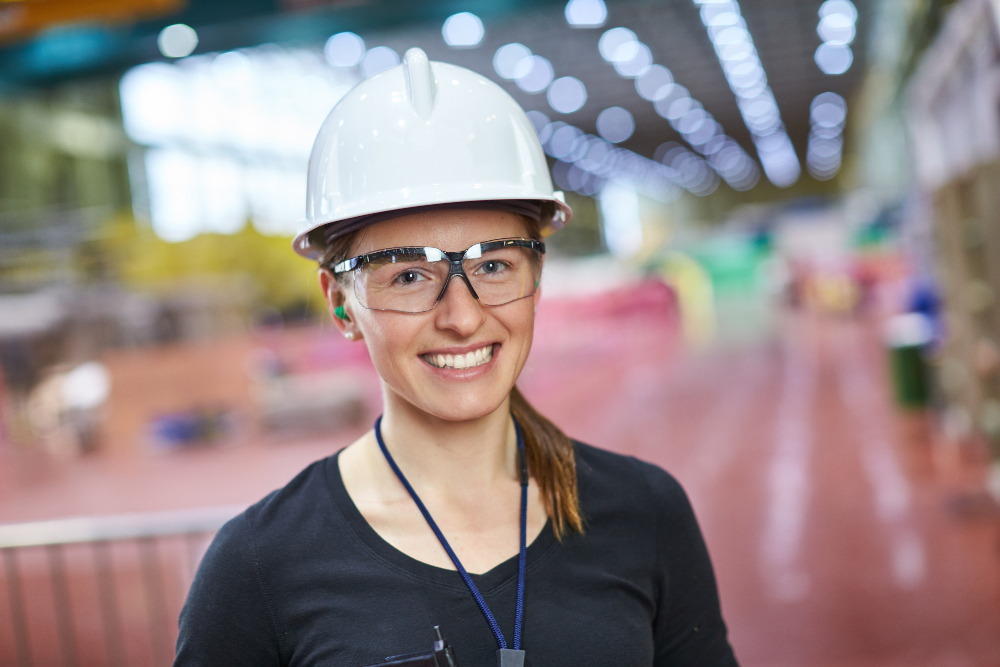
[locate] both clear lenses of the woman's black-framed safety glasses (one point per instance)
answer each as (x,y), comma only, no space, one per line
(410,280)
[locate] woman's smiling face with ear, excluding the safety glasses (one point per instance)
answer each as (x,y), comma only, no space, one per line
(406,348)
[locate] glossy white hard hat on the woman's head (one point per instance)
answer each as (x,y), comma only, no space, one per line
(423,134)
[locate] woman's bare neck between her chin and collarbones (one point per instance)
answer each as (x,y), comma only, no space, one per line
(451,456)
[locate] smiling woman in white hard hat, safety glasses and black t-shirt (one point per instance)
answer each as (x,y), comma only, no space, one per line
(464,508)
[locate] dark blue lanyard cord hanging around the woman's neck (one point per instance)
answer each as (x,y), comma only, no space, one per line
(521,560)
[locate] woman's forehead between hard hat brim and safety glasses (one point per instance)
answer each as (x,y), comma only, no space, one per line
(450,230)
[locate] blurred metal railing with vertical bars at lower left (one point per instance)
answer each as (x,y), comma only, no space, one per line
(67,609)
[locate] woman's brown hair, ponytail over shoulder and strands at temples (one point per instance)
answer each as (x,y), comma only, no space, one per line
(550,452)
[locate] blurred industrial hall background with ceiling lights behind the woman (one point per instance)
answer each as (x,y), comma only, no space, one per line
(781,284)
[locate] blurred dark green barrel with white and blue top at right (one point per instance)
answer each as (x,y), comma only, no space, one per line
(907,337)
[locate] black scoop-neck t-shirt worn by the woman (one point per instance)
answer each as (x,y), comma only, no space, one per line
(300,578)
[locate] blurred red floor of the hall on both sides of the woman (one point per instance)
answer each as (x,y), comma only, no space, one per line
(831,520)
